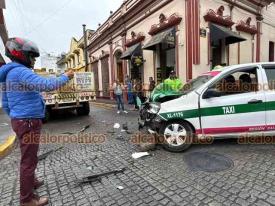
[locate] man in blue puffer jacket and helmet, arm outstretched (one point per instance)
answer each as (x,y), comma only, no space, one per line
(23,103)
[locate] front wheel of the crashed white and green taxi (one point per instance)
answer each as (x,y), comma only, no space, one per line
(176,136)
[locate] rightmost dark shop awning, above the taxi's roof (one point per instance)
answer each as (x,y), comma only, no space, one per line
(220,33)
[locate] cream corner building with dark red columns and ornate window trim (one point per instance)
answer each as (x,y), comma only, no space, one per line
(150,38)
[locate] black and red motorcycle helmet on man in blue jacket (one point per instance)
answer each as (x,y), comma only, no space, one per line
(21,50)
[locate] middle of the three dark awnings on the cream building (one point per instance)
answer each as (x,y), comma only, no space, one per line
(167,36)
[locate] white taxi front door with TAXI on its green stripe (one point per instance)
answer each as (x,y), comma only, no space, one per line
(234,105)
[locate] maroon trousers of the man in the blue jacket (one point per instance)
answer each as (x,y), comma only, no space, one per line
(28,133)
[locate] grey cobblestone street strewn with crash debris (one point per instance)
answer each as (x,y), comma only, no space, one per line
(161,179)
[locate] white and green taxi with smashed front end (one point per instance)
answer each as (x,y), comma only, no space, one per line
(236,101)
